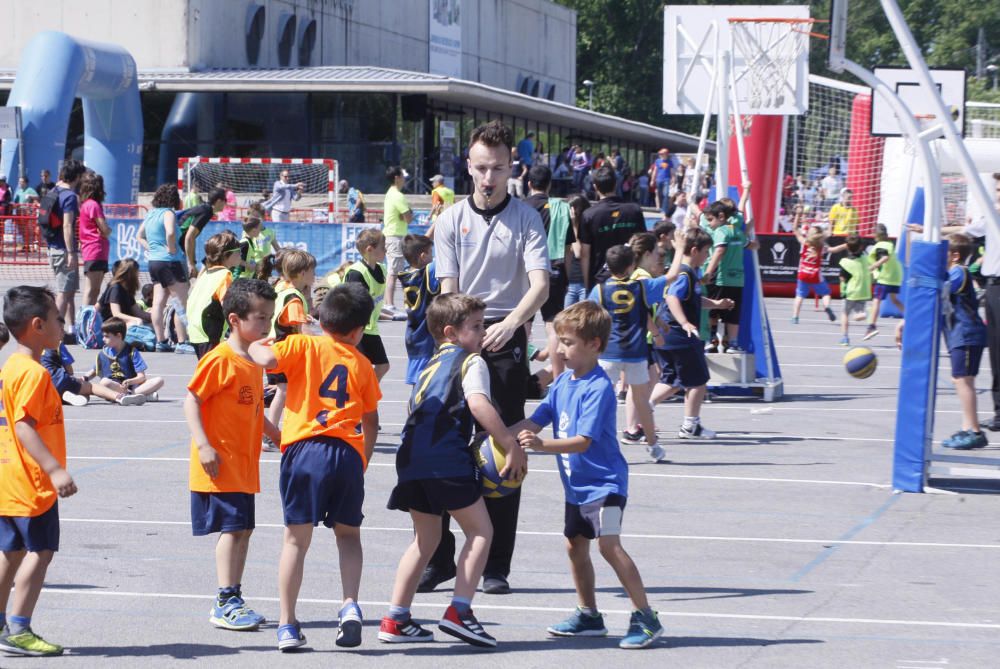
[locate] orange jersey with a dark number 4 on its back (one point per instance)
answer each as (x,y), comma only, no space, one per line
(330,387)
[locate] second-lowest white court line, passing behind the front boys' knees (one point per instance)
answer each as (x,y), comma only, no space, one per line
(535,533)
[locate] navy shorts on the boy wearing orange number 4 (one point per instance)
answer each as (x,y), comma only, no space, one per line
(322,481)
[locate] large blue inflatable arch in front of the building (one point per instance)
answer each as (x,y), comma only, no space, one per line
(56,69)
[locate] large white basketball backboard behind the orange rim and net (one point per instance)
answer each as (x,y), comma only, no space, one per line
(689,47)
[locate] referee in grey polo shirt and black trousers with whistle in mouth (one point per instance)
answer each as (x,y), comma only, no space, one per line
(493,247)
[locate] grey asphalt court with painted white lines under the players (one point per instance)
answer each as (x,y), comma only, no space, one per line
(780,544)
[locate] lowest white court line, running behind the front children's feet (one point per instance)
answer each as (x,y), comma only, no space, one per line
(554,610)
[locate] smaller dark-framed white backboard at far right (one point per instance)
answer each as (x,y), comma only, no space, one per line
(950,84)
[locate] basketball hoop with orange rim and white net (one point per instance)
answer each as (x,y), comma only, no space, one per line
(770,48)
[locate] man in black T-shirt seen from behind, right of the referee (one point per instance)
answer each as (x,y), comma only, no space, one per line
(608,223)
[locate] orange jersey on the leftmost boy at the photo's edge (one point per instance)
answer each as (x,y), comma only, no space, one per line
(27,392)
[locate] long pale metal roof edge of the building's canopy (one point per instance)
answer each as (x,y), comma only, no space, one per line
(384,80)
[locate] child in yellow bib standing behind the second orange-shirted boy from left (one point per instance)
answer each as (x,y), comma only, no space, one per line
(206,320)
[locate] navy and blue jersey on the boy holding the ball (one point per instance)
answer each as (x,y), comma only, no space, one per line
(436,435)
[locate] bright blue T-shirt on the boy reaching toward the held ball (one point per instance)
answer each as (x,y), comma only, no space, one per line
(586,407)
